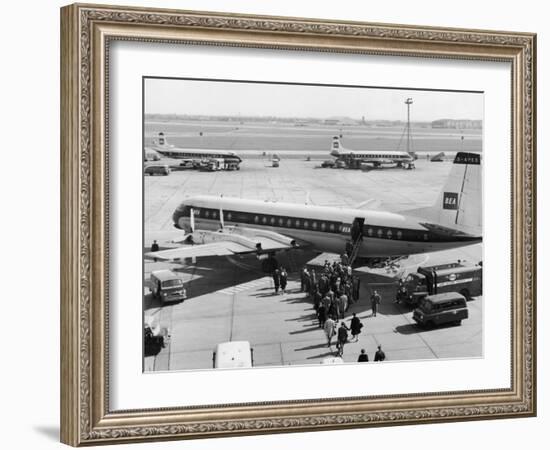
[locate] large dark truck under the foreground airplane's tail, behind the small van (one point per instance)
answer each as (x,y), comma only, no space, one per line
(453,277)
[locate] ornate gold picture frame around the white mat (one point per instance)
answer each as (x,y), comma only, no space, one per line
(87,31)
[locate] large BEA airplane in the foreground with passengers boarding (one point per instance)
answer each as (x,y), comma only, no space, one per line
(215,225)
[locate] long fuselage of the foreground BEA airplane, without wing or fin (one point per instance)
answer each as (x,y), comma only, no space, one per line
(325,228)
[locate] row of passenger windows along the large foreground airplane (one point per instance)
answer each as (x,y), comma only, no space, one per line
(315,225)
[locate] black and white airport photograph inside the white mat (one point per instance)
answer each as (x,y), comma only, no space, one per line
(303,224)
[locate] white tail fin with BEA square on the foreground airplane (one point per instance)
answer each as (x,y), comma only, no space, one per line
(458,205)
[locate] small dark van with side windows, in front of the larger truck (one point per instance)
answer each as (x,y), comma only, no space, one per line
(438,309)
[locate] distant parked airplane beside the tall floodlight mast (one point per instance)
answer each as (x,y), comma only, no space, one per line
(354,158)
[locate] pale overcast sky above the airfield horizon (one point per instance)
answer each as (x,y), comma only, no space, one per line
(167,96)
